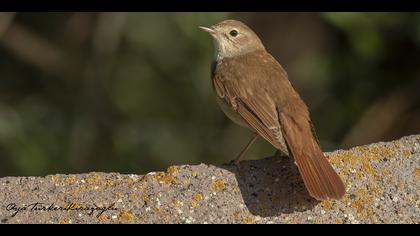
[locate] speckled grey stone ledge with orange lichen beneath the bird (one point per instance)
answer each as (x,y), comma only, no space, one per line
(382,182)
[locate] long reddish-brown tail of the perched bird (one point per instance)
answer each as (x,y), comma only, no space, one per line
(321,180)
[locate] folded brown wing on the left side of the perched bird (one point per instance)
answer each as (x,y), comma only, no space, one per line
(246,93)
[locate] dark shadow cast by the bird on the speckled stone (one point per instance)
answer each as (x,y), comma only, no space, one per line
(272,186)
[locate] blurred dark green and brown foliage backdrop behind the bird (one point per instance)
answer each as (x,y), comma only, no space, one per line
(131,92)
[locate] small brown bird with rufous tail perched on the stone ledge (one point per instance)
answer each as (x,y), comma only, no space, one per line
(253,90)
